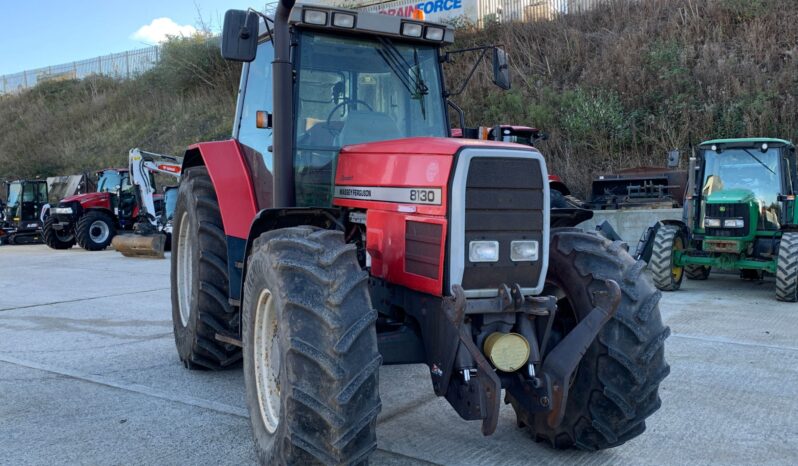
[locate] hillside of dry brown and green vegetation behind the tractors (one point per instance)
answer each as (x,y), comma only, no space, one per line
(615,87)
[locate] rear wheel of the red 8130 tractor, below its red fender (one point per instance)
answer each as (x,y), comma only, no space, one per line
(200,285)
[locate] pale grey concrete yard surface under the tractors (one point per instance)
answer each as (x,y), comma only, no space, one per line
(89,375)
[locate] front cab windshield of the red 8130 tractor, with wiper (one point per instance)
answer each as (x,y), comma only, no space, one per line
(356,90)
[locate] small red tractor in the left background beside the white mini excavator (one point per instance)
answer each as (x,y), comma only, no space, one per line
(92,220)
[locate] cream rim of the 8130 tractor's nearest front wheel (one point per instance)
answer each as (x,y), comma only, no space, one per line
(267,361)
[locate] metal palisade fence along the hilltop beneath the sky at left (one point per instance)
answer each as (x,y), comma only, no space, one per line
(119,65)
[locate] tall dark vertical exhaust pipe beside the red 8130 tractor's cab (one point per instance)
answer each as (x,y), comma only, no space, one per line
(283,139)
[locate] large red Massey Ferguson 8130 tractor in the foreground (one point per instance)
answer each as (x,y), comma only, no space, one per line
(341,229)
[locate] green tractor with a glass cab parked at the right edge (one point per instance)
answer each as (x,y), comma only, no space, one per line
(740,214)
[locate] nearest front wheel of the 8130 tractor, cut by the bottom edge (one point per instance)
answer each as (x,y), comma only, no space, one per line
(311,362)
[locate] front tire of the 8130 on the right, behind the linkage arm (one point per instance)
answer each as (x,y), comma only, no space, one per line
(615,387)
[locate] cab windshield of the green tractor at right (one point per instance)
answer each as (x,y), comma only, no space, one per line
(747,169)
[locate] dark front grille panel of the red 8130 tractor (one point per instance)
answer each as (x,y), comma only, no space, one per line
(504,202)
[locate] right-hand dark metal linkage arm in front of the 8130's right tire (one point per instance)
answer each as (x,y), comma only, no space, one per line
(561,362)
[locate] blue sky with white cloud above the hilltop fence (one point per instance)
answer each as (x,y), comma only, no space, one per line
(38,33)
